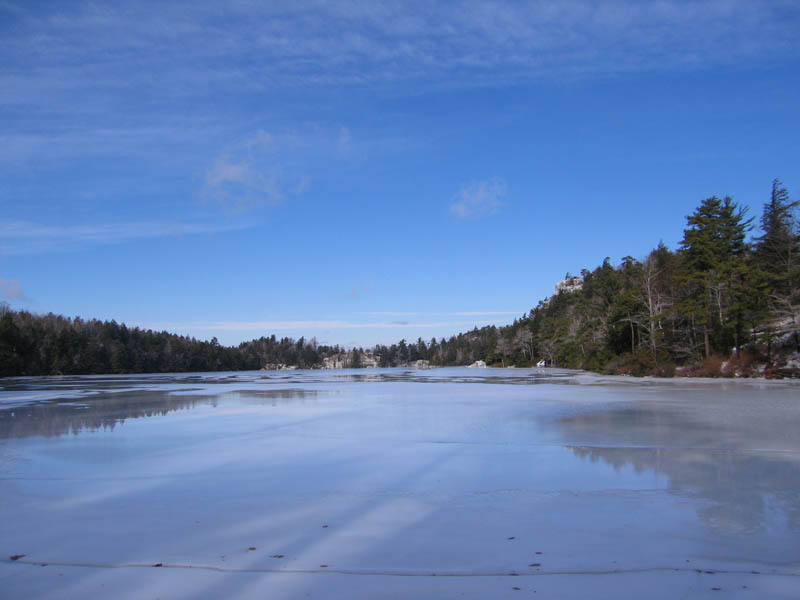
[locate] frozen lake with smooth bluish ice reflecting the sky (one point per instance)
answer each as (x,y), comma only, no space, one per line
(448,483)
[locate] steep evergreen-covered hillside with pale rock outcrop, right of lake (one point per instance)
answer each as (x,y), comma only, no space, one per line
(720,304)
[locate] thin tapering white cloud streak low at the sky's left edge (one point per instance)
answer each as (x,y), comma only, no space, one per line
(25,237)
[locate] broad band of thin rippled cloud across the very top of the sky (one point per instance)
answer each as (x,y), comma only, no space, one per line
(169,49)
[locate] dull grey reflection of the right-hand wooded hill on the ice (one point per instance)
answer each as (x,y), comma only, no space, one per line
(737,452)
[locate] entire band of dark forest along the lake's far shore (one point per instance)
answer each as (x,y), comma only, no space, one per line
(726,302)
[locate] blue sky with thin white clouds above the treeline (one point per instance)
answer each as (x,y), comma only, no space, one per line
(364,172)
